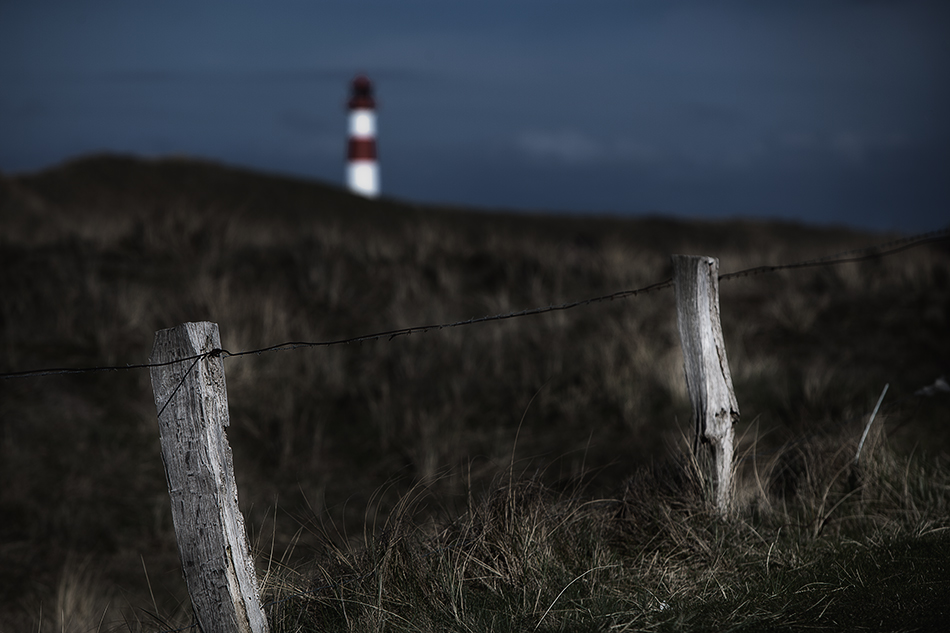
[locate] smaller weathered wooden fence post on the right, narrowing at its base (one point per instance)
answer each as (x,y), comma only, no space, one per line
(715,409)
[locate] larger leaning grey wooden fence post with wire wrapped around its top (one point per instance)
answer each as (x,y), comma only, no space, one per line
(192,401)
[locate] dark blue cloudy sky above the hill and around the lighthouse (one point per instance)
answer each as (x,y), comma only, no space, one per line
(828,111)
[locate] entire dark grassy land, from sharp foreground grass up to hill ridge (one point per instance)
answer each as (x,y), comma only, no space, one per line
(354,462)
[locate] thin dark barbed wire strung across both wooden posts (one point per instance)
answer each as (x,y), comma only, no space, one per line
(869,252)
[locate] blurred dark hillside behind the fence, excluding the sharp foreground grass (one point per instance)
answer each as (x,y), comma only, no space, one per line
(99,253)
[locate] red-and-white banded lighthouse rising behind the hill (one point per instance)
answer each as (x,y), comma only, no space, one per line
(362,169)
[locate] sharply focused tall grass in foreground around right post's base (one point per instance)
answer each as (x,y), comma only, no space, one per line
(861,547)
